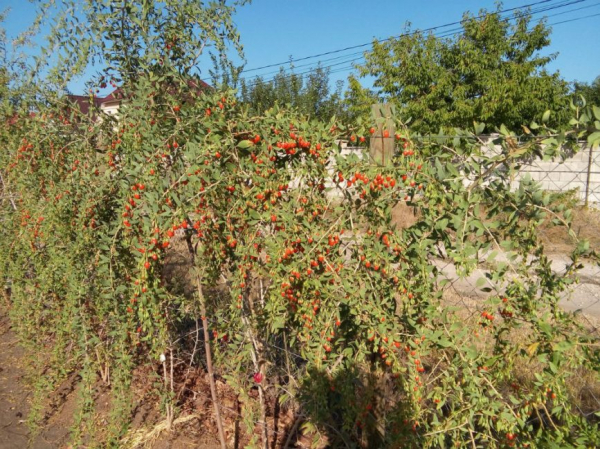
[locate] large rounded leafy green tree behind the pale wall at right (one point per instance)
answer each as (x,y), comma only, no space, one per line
(492,72)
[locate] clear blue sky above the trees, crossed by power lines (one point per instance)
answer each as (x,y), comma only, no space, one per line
(272,31)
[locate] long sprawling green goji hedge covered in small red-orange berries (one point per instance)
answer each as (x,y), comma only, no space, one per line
(310,290)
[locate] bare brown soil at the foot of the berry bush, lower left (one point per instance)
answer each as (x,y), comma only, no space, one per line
(194,427)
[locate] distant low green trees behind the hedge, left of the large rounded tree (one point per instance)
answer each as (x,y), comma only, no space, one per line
(310,94)
